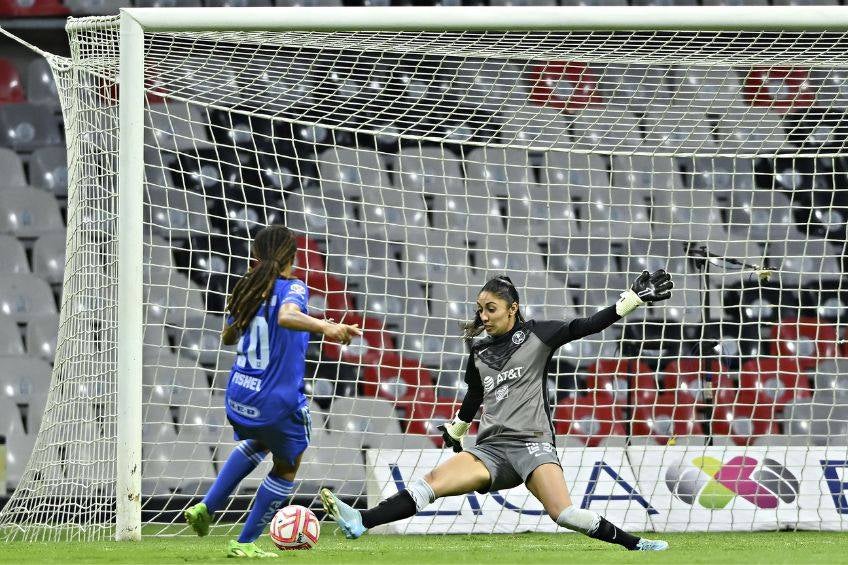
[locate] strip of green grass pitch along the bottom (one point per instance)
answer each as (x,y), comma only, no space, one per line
(560,549)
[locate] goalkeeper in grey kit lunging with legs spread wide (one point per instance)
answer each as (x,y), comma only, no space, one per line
(506,372)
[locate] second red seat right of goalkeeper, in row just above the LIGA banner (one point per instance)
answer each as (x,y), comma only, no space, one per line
(667,417)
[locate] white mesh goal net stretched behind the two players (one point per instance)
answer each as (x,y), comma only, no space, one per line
(414,165)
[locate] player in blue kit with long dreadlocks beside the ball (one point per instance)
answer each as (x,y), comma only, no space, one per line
(264,399)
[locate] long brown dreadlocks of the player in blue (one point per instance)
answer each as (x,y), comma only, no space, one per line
(273,250)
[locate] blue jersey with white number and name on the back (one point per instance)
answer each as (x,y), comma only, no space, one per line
(266,381)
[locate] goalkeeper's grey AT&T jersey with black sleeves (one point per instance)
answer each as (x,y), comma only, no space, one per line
(508,375)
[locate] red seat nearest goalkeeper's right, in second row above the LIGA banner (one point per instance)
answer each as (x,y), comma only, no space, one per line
(627,380)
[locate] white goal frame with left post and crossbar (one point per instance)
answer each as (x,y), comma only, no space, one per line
(134,22)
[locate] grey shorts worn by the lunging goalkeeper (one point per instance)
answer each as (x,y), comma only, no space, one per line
(510,460)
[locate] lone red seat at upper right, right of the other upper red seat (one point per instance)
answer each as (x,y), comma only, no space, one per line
(779,88)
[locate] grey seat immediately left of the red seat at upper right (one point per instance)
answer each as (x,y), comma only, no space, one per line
(712,88)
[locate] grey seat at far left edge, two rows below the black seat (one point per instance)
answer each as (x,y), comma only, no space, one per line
(27,213)
